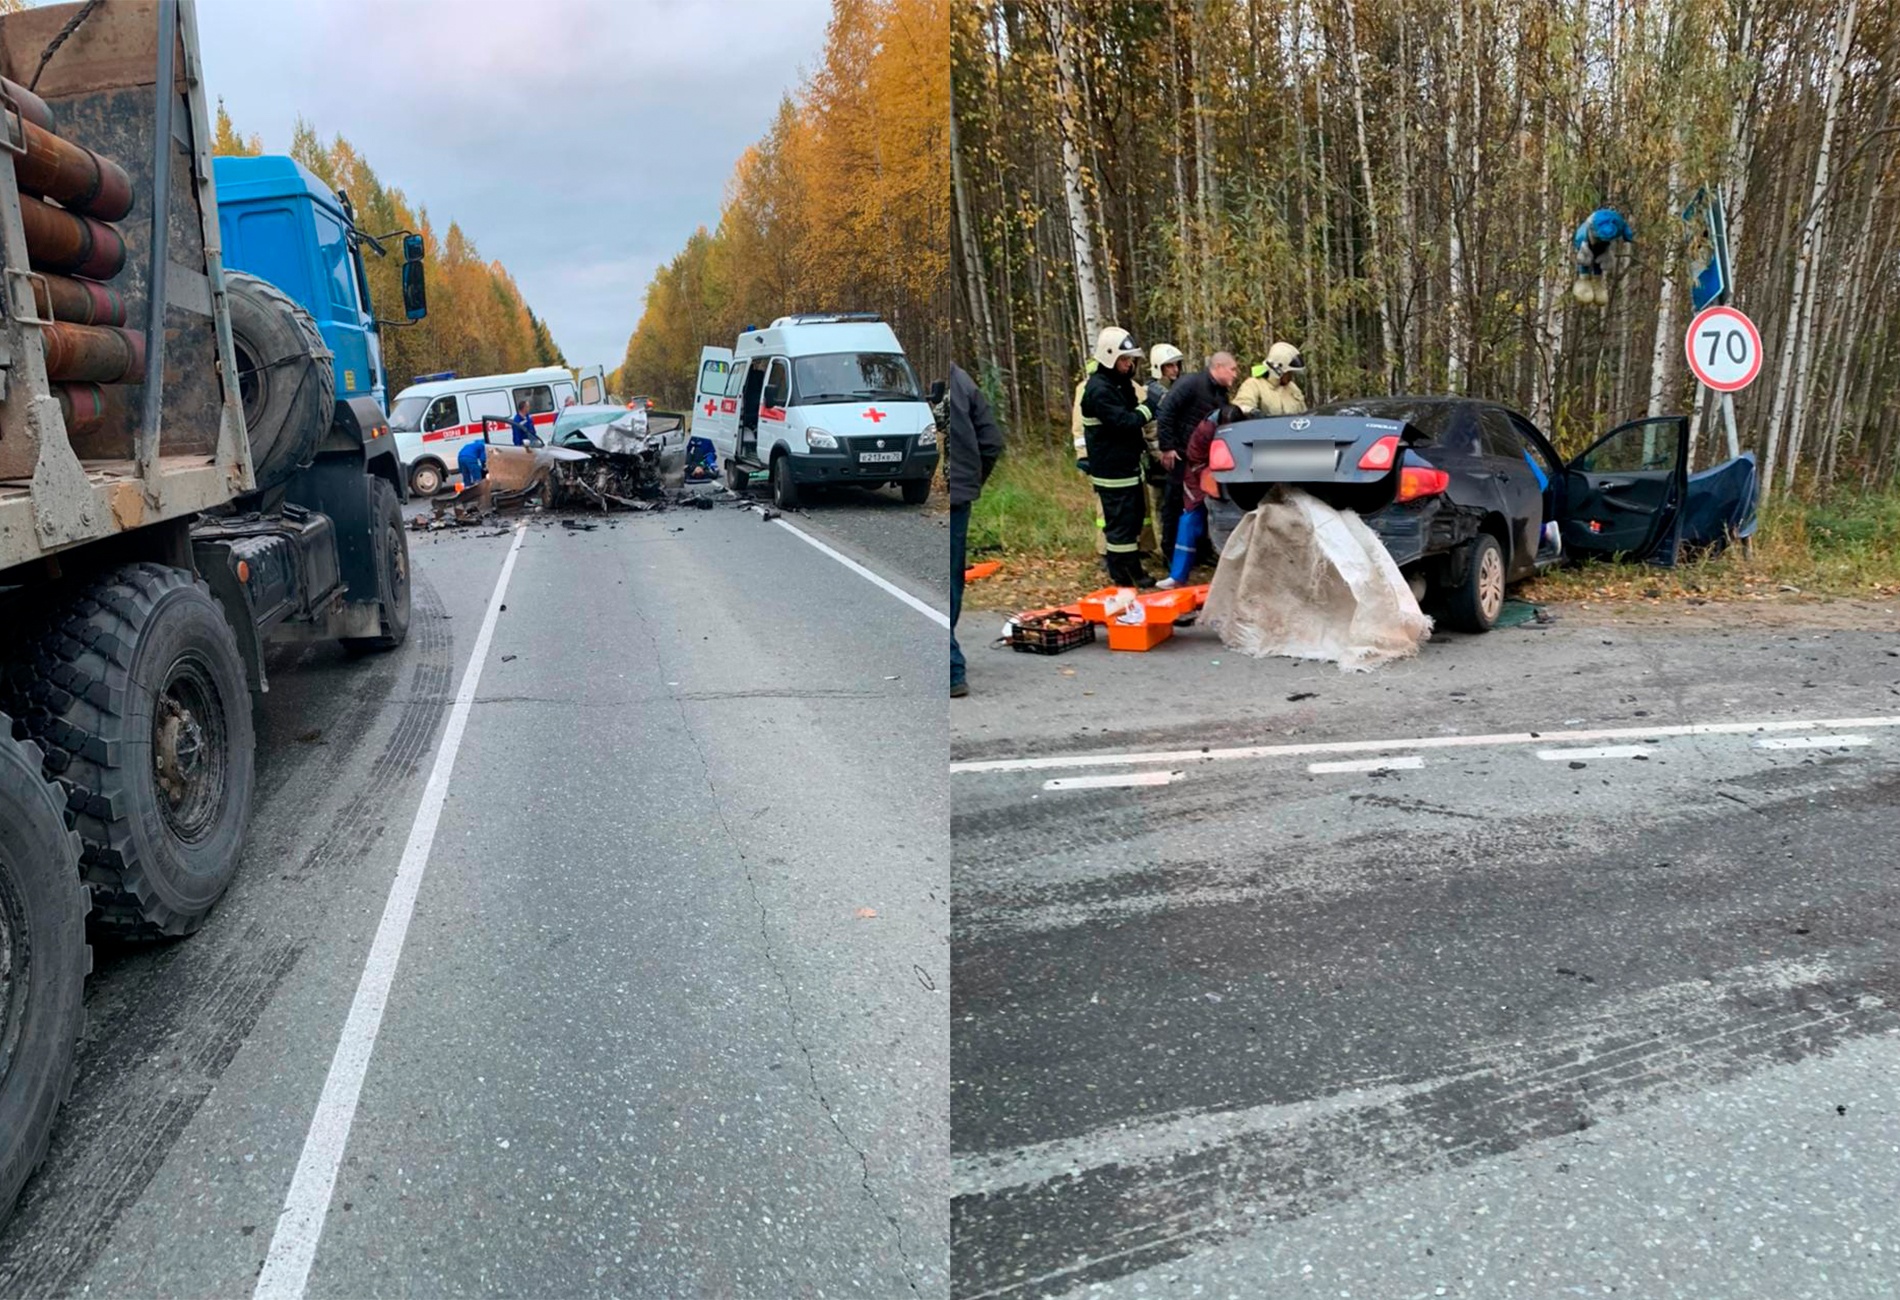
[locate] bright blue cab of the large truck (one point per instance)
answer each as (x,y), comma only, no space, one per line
(284,225)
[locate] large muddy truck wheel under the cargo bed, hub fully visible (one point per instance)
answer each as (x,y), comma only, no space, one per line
(138,695)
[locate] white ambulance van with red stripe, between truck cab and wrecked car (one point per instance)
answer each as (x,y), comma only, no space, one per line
(440,415)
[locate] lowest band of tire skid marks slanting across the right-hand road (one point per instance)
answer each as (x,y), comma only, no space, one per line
(1046,1231)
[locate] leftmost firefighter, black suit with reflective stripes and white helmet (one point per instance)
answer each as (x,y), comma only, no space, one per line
(1114,413)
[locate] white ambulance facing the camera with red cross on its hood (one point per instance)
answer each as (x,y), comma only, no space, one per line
(818,400)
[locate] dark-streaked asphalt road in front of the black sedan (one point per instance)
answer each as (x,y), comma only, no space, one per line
(1513,1016)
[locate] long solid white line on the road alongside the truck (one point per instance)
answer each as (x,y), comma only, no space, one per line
(294,1248)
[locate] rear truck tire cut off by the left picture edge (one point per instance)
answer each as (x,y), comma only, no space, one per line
(43,961)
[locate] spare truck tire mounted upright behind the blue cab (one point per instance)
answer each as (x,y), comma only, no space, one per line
(286,377)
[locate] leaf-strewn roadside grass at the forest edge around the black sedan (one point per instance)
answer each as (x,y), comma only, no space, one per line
(1036,516)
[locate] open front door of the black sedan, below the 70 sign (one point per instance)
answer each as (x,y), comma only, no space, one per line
(1625,493)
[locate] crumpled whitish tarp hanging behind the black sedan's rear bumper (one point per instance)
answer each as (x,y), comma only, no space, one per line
(1304,581)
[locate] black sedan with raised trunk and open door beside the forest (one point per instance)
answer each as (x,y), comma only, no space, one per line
(1462,491)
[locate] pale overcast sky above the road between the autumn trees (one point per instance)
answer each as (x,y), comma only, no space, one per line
(579,142)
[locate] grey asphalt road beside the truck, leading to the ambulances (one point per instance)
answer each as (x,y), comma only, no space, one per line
(670,1018)
